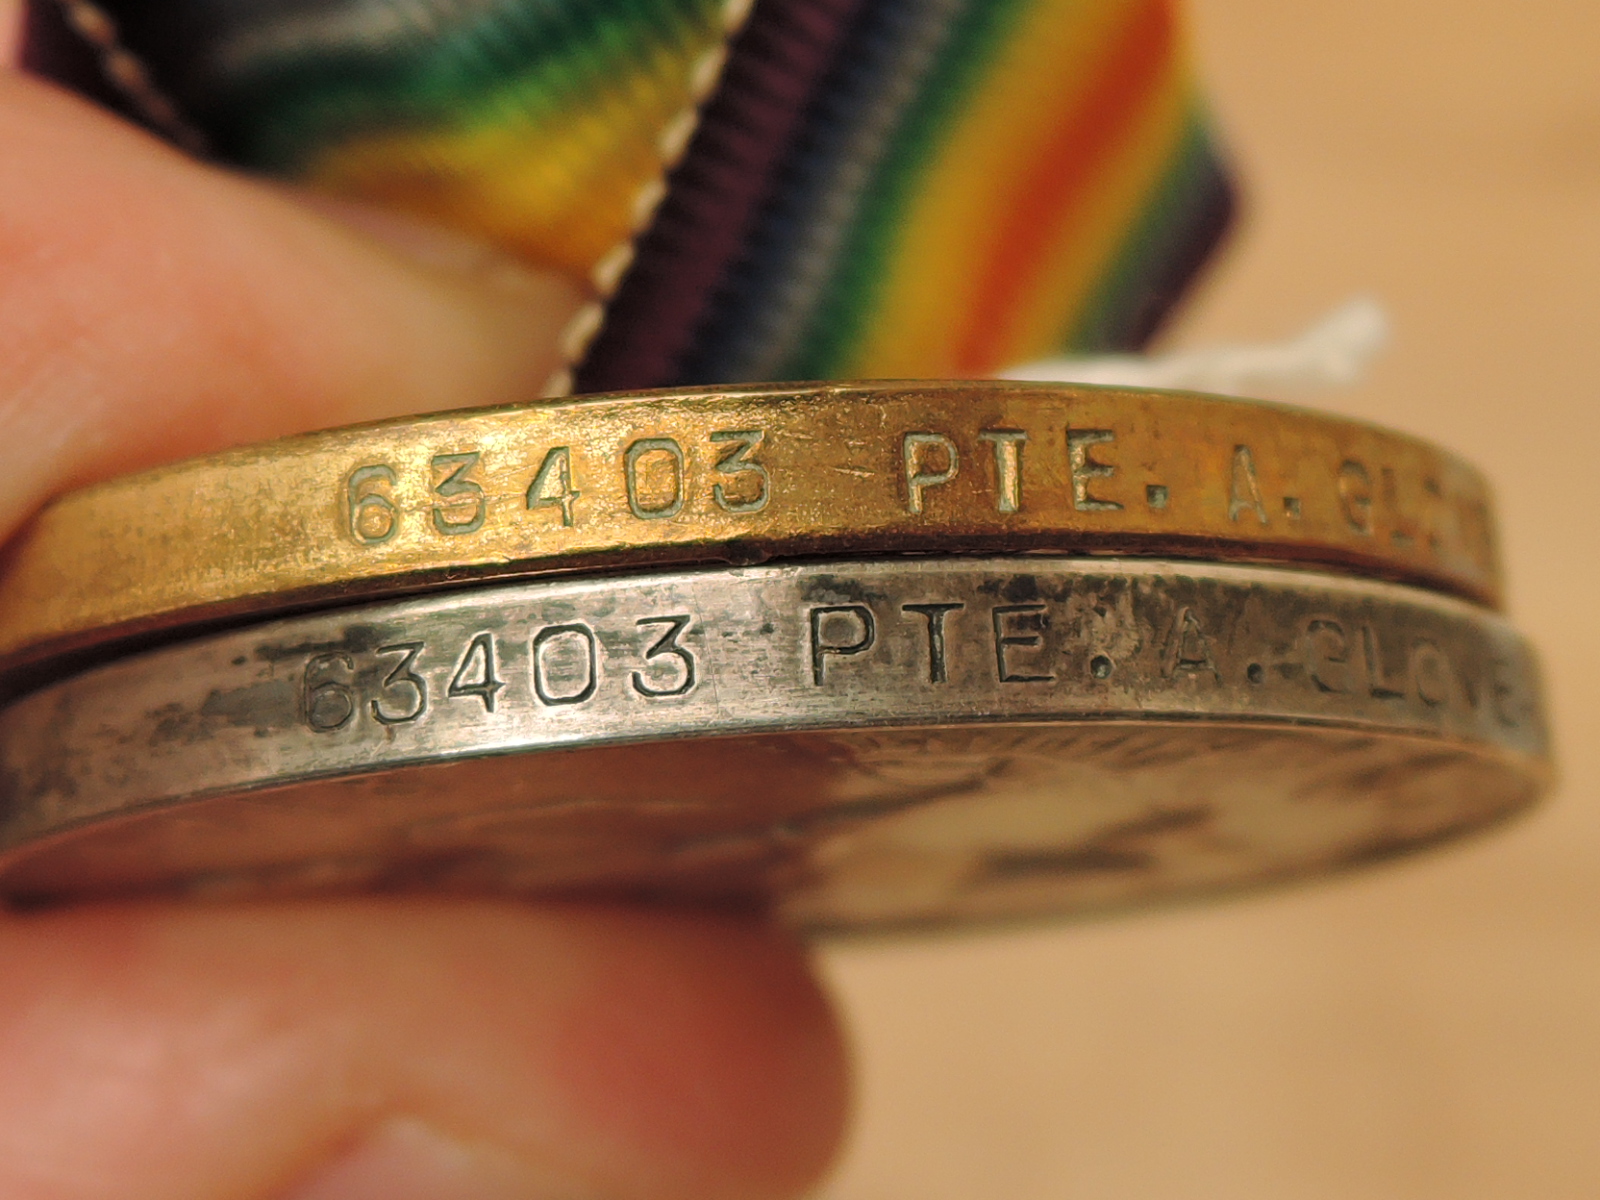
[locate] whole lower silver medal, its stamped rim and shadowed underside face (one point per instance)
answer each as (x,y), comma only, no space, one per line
(862,745)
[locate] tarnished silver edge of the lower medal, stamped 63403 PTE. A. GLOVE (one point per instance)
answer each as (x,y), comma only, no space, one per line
(729,652)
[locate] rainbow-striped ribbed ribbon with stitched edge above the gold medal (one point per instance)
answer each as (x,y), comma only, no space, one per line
(793,190)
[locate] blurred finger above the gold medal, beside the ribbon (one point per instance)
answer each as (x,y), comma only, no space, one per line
(153,306)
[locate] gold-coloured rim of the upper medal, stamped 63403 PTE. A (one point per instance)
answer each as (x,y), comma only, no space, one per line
(738,474)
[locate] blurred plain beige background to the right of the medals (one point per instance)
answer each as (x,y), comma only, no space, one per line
(1431,1030)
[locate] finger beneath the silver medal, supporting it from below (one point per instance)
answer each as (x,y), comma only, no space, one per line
(404,1050)
